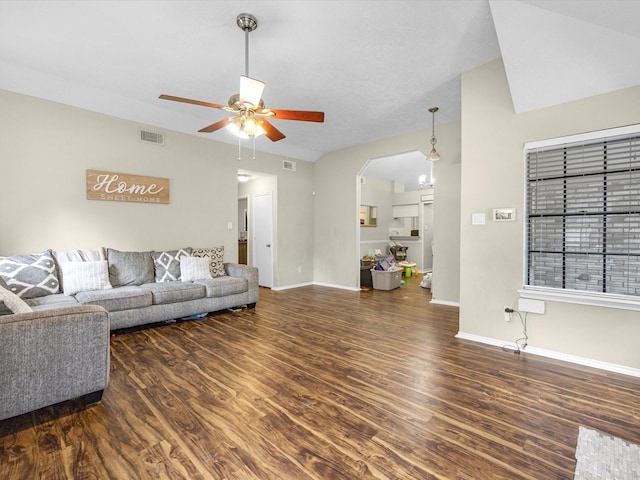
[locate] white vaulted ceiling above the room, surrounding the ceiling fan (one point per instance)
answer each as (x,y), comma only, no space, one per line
(373,67)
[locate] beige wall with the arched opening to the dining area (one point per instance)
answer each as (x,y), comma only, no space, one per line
(336,219)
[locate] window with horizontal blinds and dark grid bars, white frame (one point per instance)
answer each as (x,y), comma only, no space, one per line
(583,218)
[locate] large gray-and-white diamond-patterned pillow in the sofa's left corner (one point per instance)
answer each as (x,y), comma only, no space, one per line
(30,276)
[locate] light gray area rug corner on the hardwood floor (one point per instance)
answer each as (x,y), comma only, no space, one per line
(601,456)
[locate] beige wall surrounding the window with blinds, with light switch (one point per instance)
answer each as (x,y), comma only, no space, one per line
(492,255)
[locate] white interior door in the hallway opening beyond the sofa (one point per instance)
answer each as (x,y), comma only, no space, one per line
(262,233)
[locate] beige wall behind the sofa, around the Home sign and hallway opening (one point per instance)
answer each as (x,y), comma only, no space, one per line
(46,148)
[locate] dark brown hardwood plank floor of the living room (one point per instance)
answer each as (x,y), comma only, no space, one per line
(319,383)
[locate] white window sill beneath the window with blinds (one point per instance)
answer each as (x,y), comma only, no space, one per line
(625,302)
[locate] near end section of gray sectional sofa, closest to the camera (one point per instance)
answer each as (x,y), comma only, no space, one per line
(50,356)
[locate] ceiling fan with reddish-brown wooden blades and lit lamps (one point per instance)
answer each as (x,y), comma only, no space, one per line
(249,113)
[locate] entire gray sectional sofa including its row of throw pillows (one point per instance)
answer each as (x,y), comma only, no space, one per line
(57,310)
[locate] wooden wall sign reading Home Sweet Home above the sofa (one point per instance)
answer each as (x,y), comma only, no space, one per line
(122,187)
